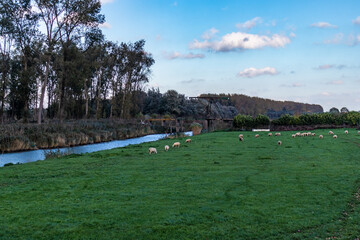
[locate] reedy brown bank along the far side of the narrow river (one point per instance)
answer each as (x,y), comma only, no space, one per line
(24,137)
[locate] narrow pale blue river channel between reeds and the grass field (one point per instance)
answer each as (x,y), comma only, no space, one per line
(35,155)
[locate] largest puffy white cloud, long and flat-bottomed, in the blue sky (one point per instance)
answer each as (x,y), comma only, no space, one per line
(239,41)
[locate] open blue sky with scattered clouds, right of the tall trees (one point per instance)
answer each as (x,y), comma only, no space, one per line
(305,51)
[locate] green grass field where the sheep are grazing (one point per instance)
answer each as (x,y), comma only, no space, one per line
(213,188)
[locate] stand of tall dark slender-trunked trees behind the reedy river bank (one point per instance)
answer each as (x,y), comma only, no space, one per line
(53,53)
